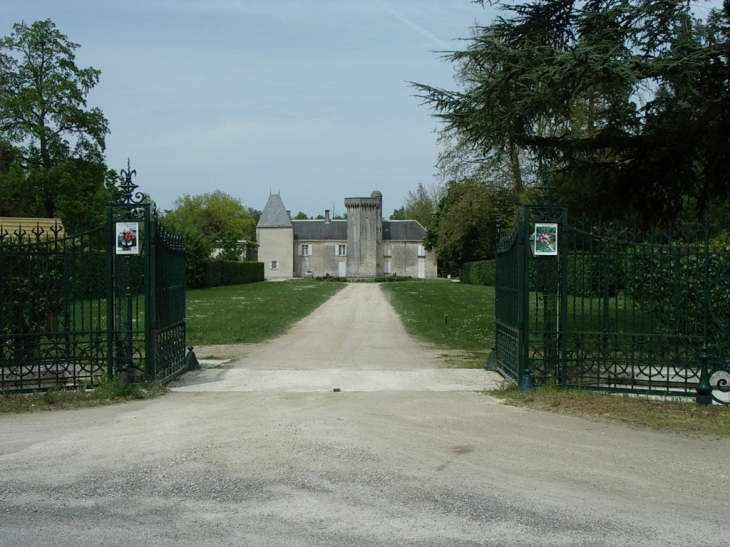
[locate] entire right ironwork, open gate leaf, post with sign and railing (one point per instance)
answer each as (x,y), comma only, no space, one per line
(600,307)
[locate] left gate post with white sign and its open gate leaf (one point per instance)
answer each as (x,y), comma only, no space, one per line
(146,286)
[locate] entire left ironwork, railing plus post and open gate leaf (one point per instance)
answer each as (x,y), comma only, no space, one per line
(110,301)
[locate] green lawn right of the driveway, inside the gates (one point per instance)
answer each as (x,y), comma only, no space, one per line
(424,305)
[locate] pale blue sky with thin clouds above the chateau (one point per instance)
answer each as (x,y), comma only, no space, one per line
(308,98)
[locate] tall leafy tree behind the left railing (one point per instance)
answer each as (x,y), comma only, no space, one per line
(52,144)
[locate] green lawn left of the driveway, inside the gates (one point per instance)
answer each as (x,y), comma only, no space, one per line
(251,313)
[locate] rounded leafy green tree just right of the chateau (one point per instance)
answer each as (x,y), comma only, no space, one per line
(463,227)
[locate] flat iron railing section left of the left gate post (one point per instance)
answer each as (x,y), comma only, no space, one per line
(54,314)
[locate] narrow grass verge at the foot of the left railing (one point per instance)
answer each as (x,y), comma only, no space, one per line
(58,399)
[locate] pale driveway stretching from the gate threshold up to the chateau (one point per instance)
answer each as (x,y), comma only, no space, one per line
(354,342)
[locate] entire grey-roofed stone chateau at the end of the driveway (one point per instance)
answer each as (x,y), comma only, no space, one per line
(361,246)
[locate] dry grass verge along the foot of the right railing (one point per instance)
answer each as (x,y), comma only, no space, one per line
(662,414)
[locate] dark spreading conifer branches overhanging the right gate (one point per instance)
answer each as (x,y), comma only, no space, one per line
(627,102)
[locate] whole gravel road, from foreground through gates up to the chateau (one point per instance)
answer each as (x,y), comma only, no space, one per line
(261,451)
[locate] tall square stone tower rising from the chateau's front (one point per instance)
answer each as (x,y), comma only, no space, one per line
(365,236)
